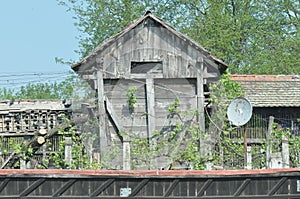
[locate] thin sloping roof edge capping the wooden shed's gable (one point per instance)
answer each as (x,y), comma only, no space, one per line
(136,23)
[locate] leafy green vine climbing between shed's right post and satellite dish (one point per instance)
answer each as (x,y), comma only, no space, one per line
(228,148)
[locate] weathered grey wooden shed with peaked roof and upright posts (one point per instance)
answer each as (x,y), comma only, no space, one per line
(140,72)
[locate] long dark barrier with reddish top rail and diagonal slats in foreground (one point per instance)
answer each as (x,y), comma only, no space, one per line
(275,183)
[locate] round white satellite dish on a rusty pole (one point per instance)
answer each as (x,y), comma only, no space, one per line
(239,111)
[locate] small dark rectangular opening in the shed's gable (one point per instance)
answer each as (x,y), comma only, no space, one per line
(146,67)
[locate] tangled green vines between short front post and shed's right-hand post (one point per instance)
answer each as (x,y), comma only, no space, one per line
(177,145)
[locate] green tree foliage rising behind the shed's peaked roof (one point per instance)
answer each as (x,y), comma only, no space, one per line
(251,36)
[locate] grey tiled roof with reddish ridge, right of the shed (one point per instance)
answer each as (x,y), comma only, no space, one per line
(271,90)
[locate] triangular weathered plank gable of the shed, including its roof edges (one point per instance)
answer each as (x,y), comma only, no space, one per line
(150,46)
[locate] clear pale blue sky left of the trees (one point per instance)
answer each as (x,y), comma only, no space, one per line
(33,33)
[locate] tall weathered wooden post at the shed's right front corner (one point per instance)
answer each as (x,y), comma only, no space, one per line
(200,105)
